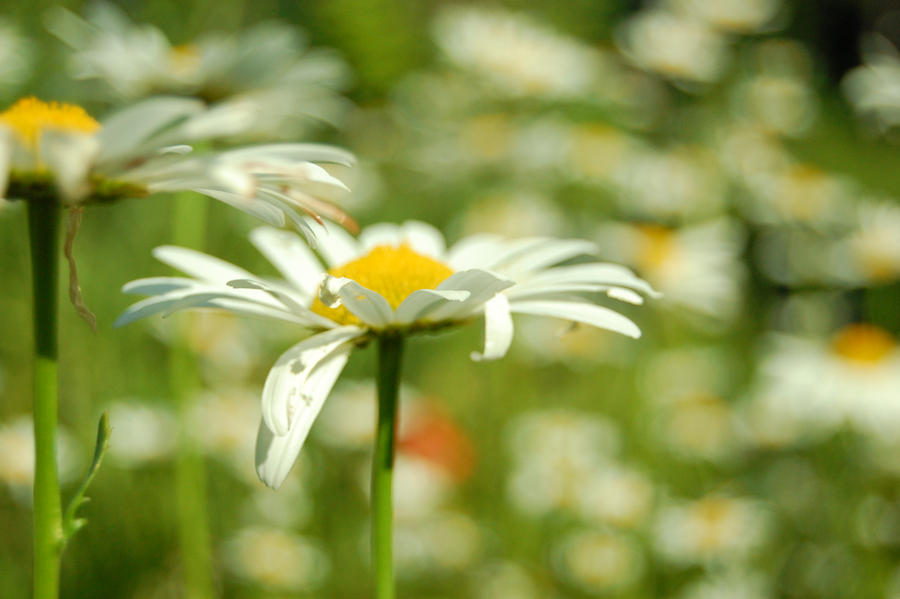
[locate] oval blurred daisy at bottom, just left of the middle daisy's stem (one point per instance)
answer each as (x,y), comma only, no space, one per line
(276,560)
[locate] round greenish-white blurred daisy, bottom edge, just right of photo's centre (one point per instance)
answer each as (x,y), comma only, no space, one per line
(598,562)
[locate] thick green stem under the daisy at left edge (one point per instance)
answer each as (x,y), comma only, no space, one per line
(43,228)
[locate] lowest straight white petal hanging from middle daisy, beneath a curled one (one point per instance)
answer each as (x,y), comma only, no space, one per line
(275,455)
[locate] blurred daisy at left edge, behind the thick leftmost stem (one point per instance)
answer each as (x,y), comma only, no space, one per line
(17,456)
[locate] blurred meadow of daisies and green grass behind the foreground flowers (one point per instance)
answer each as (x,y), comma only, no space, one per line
(740,155)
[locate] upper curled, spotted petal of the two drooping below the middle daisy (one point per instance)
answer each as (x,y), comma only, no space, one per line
(285,396)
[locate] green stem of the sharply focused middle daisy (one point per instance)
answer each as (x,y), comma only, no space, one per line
(390,352)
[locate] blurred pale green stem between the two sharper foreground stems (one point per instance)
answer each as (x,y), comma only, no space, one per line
(188,229)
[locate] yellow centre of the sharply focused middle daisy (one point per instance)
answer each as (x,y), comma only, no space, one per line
(394,272)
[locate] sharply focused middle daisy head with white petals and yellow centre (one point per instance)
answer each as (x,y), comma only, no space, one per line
(395,280)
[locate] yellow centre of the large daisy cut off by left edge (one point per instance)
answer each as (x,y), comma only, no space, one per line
(30,117)
